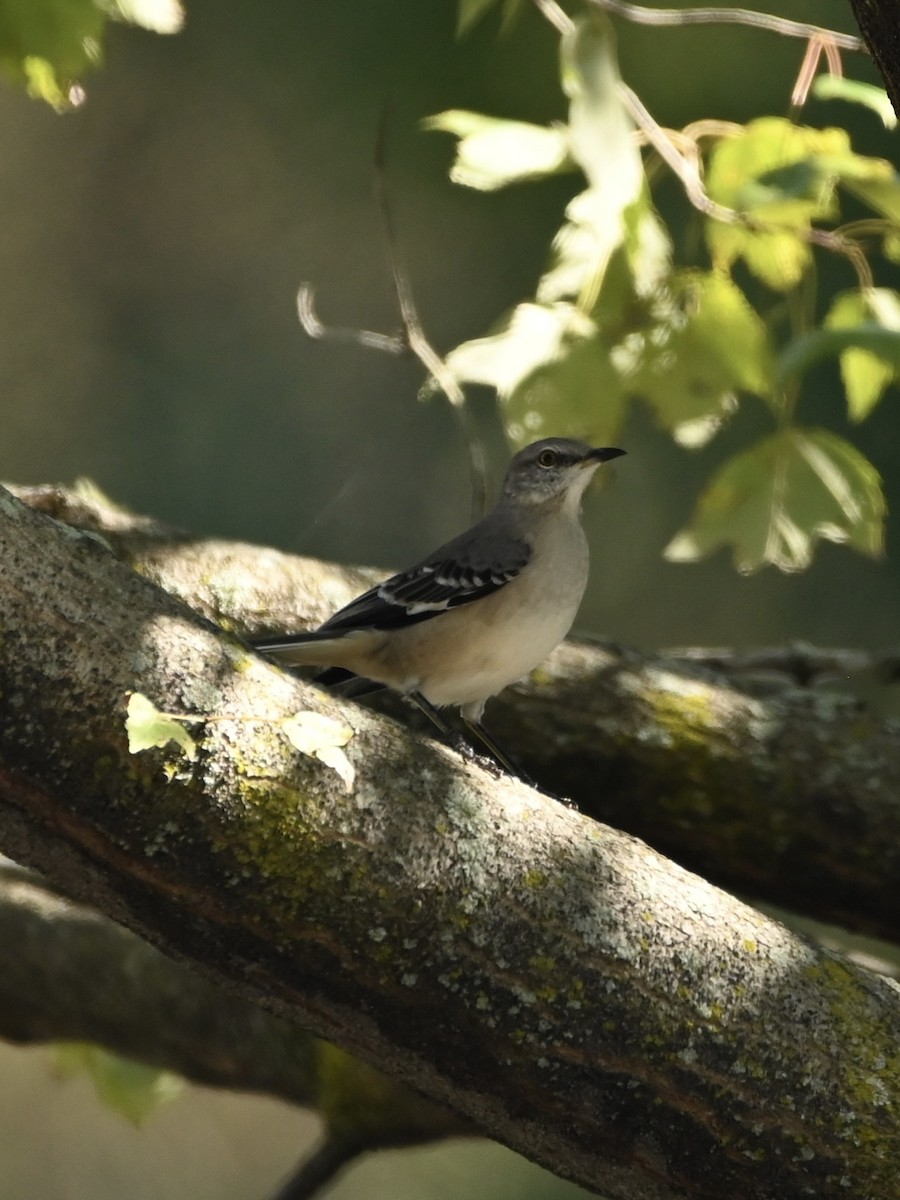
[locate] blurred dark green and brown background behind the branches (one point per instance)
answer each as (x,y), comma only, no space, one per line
(152,244)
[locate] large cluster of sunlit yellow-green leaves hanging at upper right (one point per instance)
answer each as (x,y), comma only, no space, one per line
(621,315)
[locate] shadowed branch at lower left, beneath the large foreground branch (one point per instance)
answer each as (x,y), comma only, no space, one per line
(70,974)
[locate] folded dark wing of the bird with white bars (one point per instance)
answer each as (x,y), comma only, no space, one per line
(470,568)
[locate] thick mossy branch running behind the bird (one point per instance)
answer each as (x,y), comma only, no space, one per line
(759,775)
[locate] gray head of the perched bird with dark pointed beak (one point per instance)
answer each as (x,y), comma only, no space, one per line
(555,471)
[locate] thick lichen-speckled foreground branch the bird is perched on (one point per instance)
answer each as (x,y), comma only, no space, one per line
(555,982)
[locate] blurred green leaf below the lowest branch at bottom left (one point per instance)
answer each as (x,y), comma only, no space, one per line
(131,1089)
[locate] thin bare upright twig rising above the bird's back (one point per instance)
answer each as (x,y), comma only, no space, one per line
(416,337)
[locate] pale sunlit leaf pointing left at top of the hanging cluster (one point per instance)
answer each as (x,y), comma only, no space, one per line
(494,153)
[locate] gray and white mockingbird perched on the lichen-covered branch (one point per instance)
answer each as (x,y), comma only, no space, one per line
(479,613)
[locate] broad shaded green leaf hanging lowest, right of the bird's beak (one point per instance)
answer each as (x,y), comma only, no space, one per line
(771,503)
